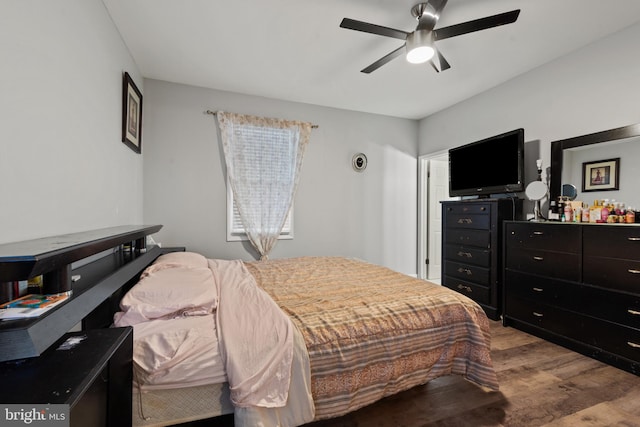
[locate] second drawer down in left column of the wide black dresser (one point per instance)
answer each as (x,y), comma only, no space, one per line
(559,265)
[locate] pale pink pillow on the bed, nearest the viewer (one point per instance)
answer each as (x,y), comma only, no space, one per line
(170,292)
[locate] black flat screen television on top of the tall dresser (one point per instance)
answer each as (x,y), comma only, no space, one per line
(493,165)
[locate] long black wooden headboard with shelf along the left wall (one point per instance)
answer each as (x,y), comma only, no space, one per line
(99,280)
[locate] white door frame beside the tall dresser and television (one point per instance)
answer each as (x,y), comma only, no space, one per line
(423,209)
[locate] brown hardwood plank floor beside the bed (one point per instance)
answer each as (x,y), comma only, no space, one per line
(541,384)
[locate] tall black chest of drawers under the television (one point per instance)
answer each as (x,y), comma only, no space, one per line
(471,248)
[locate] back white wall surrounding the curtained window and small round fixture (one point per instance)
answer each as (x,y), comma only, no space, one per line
(370,215)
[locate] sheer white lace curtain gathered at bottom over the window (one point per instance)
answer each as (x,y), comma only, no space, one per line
(263,158)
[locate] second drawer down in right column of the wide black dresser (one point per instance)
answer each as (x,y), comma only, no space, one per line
(612,273)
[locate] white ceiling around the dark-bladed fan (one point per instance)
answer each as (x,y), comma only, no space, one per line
(295,50)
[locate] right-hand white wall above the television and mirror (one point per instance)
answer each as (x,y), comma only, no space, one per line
(594,89)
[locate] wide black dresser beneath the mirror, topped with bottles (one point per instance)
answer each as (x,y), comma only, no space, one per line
(577,285)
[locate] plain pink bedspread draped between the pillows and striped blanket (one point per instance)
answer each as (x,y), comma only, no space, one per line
(256,338)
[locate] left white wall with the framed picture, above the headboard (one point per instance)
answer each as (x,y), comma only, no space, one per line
(62,165)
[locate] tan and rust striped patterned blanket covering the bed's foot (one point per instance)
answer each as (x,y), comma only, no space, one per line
(372,332)
